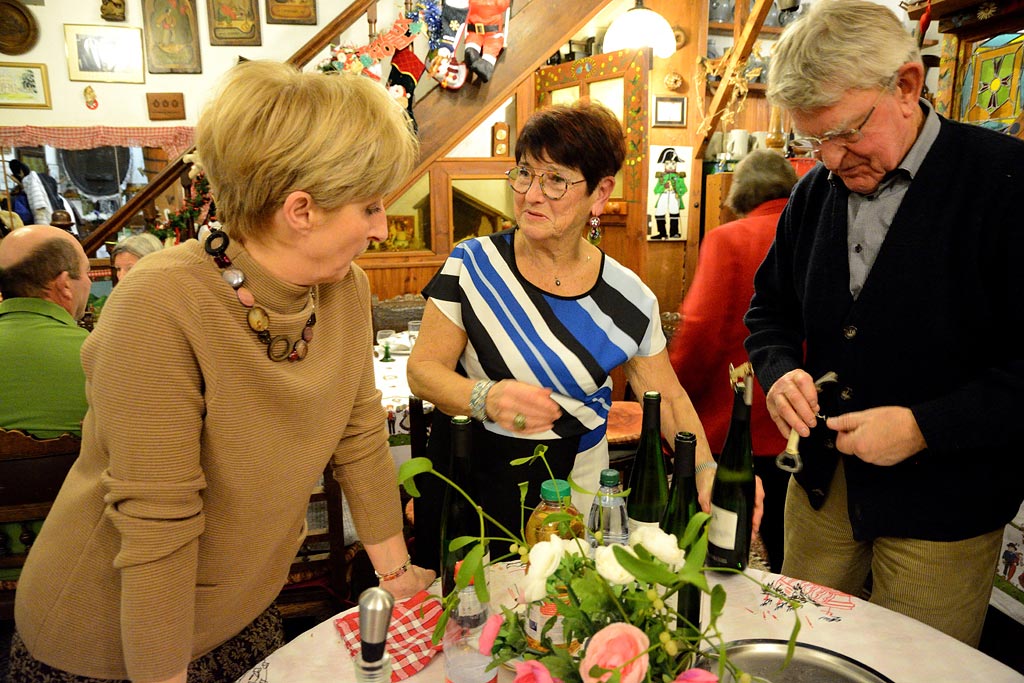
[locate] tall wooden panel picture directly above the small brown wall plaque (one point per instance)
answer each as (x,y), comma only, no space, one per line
(172,37)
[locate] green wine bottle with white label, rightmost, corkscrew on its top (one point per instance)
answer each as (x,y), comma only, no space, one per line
(733,495)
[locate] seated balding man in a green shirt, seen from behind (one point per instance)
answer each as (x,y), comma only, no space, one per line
(45,281)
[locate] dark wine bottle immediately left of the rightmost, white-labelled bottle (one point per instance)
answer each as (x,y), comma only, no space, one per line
(681,508)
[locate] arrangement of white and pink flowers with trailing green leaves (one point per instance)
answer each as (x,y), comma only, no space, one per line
(616,609)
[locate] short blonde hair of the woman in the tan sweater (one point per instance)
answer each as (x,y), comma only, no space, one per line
(273,130)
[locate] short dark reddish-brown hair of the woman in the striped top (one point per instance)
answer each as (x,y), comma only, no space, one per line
(584,136)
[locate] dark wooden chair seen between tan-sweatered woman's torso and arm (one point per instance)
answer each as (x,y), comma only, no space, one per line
(319,583)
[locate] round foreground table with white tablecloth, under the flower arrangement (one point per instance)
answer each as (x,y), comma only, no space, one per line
(897,647)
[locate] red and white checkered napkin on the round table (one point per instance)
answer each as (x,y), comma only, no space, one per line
(413,622)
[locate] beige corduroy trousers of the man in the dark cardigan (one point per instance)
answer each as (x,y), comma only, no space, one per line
(944,584)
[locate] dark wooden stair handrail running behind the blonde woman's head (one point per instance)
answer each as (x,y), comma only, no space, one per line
(174,172)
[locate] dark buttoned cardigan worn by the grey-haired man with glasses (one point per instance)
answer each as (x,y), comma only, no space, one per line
(934,329)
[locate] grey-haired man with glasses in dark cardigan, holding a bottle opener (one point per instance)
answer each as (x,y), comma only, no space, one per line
(895,267)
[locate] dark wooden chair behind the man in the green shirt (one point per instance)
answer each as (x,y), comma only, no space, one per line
(32,472)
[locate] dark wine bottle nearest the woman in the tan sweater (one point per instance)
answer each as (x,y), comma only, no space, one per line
(458,517)
